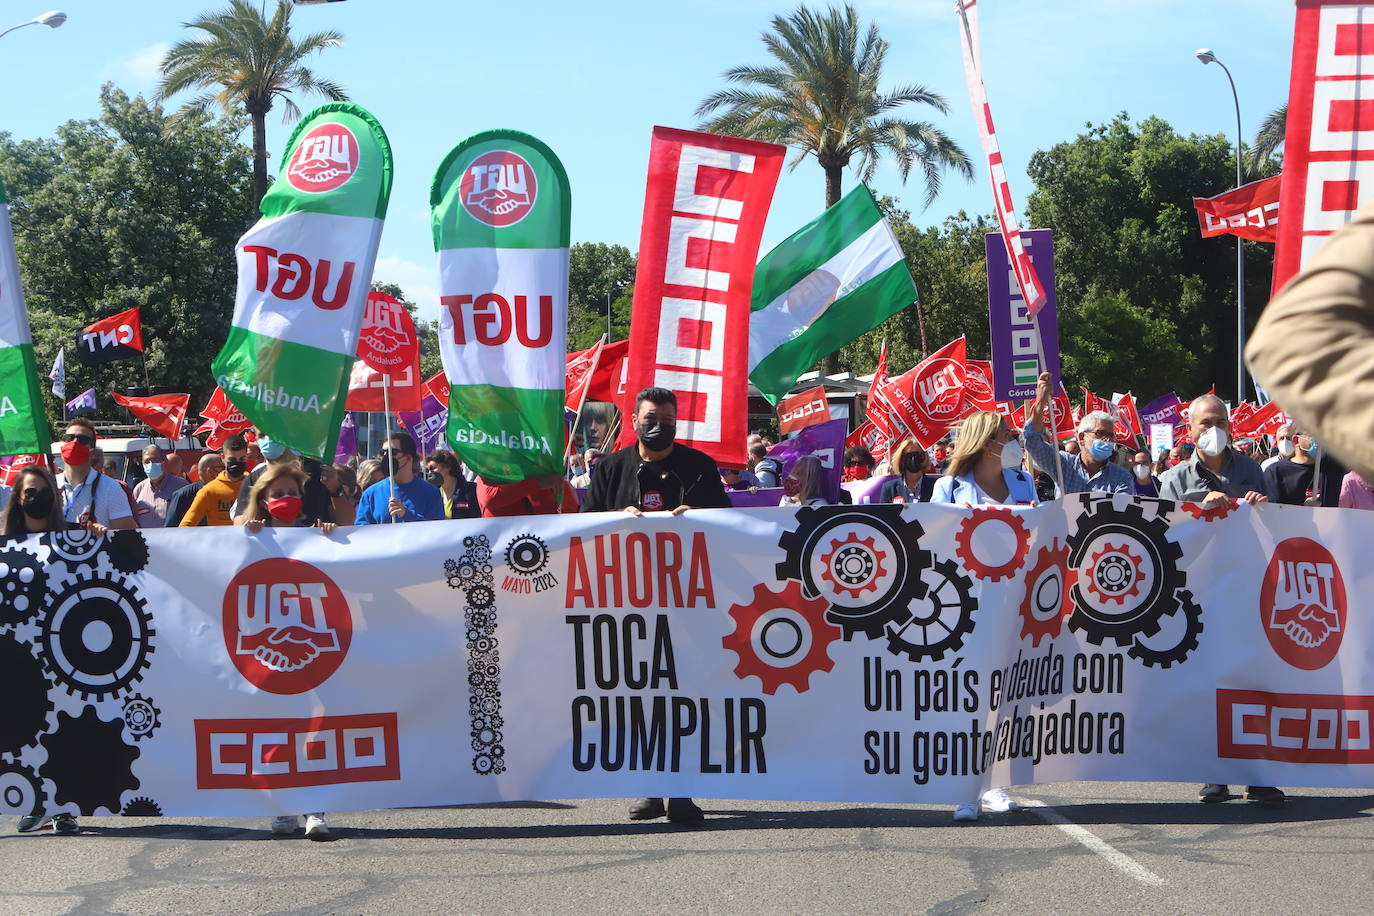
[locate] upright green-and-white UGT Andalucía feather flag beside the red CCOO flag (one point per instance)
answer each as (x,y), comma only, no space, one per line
(501,215)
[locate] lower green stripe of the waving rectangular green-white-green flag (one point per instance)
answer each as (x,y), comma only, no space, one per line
(858,312)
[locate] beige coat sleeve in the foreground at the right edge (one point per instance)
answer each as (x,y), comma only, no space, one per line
(1314,347)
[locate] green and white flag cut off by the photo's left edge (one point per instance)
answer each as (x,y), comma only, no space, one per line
(24,424)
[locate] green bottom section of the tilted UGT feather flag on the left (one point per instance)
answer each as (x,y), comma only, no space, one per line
(291,392)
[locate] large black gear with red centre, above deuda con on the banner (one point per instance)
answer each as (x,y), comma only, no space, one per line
(1127,616)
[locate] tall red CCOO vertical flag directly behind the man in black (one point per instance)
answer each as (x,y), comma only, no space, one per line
(706,205)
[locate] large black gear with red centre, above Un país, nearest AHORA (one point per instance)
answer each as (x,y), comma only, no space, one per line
(897,538)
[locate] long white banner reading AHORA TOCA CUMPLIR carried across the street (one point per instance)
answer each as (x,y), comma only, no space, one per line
(872,654)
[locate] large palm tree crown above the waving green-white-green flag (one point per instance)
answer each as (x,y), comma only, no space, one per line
(822,100)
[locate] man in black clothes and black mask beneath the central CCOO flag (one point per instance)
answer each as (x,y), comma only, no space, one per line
(655,476)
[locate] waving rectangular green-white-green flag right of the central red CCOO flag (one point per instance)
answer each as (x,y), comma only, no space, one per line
(839,277)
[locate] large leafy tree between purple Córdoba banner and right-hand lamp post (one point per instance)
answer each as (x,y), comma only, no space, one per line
(1120,203)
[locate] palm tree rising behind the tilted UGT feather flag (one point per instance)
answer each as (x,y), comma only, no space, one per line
(255,61)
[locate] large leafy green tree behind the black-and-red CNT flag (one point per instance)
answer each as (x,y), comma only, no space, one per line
(116,214)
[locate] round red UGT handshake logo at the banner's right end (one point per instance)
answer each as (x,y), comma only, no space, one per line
(1303,604)
